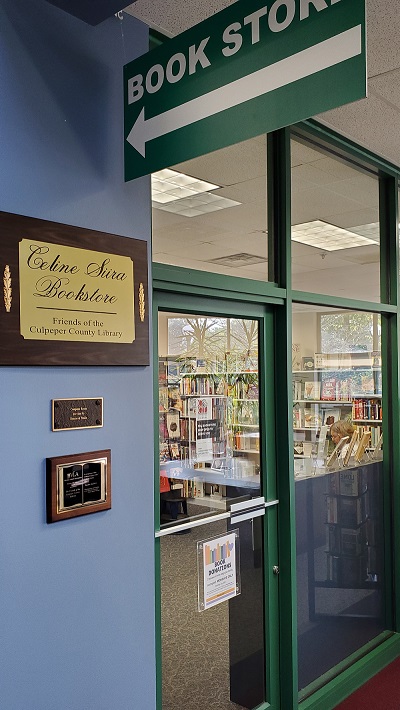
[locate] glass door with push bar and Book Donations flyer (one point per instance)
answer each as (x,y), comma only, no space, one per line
(217,512)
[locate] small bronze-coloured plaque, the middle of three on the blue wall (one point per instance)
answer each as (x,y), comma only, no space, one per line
(77,413)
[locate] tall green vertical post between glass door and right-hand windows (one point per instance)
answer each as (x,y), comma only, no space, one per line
(279,224)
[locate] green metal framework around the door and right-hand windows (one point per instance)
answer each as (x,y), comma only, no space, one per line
(213,293)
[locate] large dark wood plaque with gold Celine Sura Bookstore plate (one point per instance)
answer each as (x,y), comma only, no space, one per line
(71,296)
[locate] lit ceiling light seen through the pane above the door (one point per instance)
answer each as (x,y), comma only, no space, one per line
(185,195)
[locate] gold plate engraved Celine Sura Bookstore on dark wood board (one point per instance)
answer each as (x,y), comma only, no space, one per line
(75,294)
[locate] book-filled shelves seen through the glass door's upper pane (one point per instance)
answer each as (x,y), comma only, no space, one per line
(209,424)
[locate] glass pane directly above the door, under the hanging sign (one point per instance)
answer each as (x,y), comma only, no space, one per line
(210,213)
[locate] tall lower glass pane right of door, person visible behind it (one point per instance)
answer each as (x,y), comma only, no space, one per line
(337,423)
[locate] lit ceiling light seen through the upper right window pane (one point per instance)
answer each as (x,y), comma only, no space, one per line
(327,237)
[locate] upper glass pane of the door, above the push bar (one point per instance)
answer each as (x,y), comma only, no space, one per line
(208,414)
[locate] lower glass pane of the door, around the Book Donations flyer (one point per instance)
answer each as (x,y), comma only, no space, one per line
(213,658)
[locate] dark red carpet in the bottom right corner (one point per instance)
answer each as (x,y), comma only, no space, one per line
(382,692)
